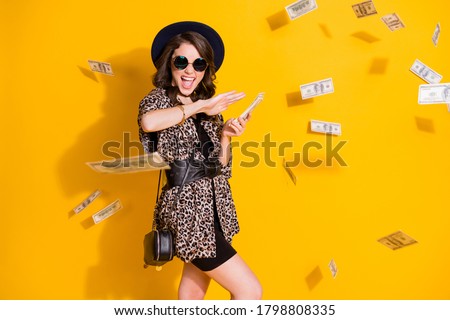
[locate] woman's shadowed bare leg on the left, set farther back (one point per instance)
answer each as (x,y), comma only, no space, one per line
(193,284)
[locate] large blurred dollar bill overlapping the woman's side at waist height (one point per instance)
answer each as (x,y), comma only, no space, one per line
(147,162)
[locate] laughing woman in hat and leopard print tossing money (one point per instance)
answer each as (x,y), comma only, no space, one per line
(181,119)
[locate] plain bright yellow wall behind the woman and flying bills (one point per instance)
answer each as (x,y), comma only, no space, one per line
(56,115)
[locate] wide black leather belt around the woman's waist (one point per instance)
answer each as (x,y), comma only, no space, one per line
(187,171)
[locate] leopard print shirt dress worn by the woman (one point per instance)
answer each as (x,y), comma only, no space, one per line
(192,222)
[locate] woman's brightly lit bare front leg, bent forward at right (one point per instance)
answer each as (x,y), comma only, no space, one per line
(236,277)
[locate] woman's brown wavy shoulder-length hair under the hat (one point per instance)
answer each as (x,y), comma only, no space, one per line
(163,76)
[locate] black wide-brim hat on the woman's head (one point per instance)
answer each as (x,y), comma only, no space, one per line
(174,29)
